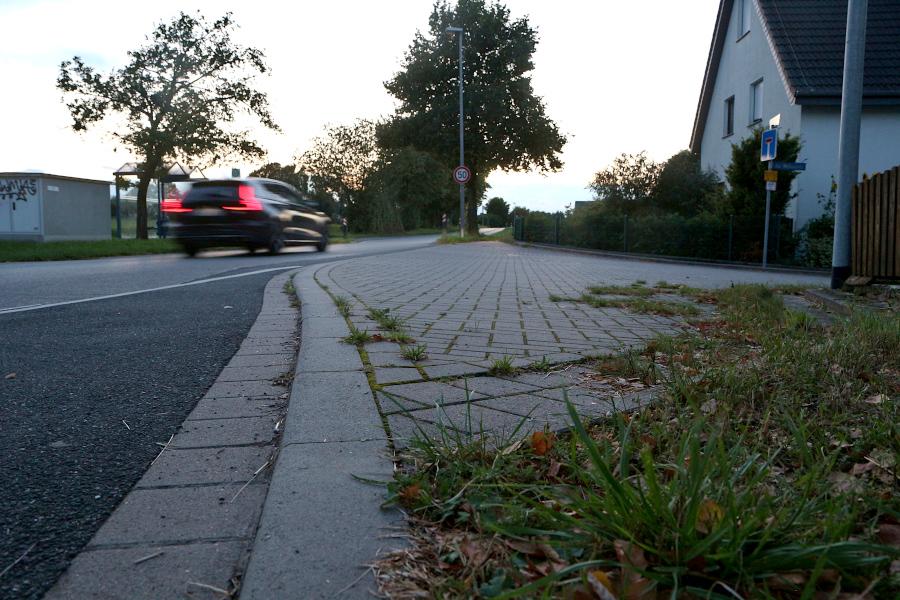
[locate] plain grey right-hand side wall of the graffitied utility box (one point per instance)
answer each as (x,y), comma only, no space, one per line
(75,210)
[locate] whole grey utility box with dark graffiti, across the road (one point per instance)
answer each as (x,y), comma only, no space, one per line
(40,207)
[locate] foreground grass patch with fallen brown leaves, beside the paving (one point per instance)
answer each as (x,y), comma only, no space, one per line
(767,468)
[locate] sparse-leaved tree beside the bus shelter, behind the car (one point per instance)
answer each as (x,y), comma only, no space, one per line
(176,94)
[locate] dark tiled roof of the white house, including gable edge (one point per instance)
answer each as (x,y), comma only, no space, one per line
(807,38)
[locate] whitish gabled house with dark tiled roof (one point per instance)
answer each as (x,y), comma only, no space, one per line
(786,57)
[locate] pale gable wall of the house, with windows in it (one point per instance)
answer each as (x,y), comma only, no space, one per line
(744,60)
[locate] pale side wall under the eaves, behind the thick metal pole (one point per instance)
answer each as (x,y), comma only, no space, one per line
(879,150)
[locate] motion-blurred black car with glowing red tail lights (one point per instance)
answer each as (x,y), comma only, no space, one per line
(250,213)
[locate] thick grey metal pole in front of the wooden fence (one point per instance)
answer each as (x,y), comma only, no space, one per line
(848,149)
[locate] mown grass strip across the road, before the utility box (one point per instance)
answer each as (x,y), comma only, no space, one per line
(14,251)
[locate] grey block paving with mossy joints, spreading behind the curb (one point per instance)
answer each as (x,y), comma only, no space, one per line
(475,303)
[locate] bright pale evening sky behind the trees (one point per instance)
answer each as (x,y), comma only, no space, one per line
(616,75)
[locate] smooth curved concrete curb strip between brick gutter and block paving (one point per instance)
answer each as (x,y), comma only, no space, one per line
(322,524)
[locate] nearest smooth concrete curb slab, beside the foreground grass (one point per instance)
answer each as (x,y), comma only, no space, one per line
(321,525)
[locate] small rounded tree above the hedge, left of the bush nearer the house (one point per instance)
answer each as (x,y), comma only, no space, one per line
(627,185)
